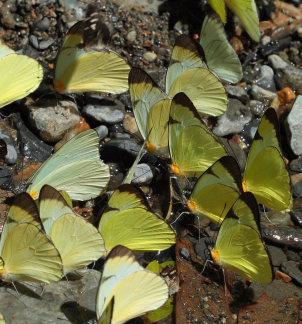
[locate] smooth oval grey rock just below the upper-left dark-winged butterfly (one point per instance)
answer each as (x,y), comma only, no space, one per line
(105,110)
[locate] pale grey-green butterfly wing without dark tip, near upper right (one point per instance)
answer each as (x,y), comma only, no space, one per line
(220,56)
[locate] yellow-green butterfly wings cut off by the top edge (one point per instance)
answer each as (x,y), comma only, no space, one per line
(246,11)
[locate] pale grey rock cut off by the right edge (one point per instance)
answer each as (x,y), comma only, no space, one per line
(294,126)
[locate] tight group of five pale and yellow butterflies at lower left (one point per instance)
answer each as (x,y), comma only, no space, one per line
(44,239)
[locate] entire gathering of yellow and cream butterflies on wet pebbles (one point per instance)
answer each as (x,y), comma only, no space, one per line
(43,239)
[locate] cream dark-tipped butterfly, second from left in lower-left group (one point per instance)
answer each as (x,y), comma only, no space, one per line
(78,242)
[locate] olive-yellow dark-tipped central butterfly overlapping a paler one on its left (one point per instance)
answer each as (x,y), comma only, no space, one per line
(193,148)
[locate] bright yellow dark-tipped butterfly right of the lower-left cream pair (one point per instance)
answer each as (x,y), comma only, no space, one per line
(142,229)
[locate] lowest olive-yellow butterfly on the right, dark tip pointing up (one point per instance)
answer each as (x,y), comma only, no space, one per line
(239,246)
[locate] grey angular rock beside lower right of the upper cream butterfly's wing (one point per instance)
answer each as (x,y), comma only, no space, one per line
(233,120)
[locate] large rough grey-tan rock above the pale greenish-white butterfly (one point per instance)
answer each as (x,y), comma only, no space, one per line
(52,119)
